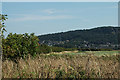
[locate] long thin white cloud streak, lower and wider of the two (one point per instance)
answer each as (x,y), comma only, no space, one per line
(40,17)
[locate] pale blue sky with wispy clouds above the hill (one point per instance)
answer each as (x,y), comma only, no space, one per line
(52,17)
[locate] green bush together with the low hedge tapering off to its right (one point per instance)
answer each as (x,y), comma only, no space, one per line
(21,45)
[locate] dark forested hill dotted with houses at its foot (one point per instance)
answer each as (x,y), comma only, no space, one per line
(101,37)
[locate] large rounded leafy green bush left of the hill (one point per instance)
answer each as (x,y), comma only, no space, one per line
(19,45)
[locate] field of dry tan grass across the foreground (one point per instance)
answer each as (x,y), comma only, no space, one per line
(84,64)
